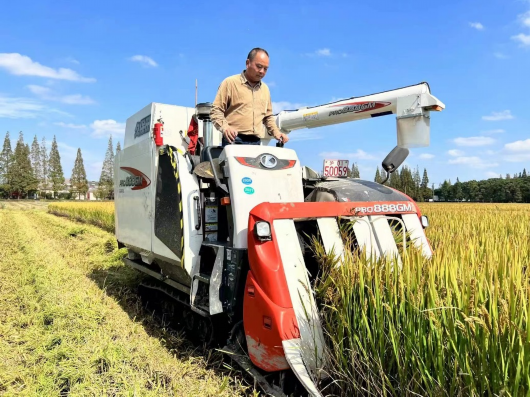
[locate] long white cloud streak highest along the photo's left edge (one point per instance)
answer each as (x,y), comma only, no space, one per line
(21,65)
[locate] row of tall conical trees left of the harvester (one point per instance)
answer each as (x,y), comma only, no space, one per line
(36,172)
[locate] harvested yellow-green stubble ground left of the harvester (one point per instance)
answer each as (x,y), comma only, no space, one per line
(71,323)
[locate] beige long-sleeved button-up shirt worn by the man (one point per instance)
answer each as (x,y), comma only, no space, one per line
(246,109)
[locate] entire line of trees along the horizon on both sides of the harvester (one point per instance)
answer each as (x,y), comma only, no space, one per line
(33,171)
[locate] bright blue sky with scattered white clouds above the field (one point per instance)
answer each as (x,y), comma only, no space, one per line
(79,69)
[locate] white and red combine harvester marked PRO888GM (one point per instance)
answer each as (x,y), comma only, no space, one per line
(224,232)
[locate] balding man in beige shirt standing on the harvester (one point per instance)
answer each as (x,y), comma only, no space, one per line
(243,106)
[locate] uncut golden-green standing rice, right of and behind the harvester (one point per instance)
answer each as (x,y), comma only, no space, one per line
(456,324)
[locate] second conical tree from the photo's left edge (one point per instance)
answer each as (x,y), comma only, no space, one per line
(21,172)
